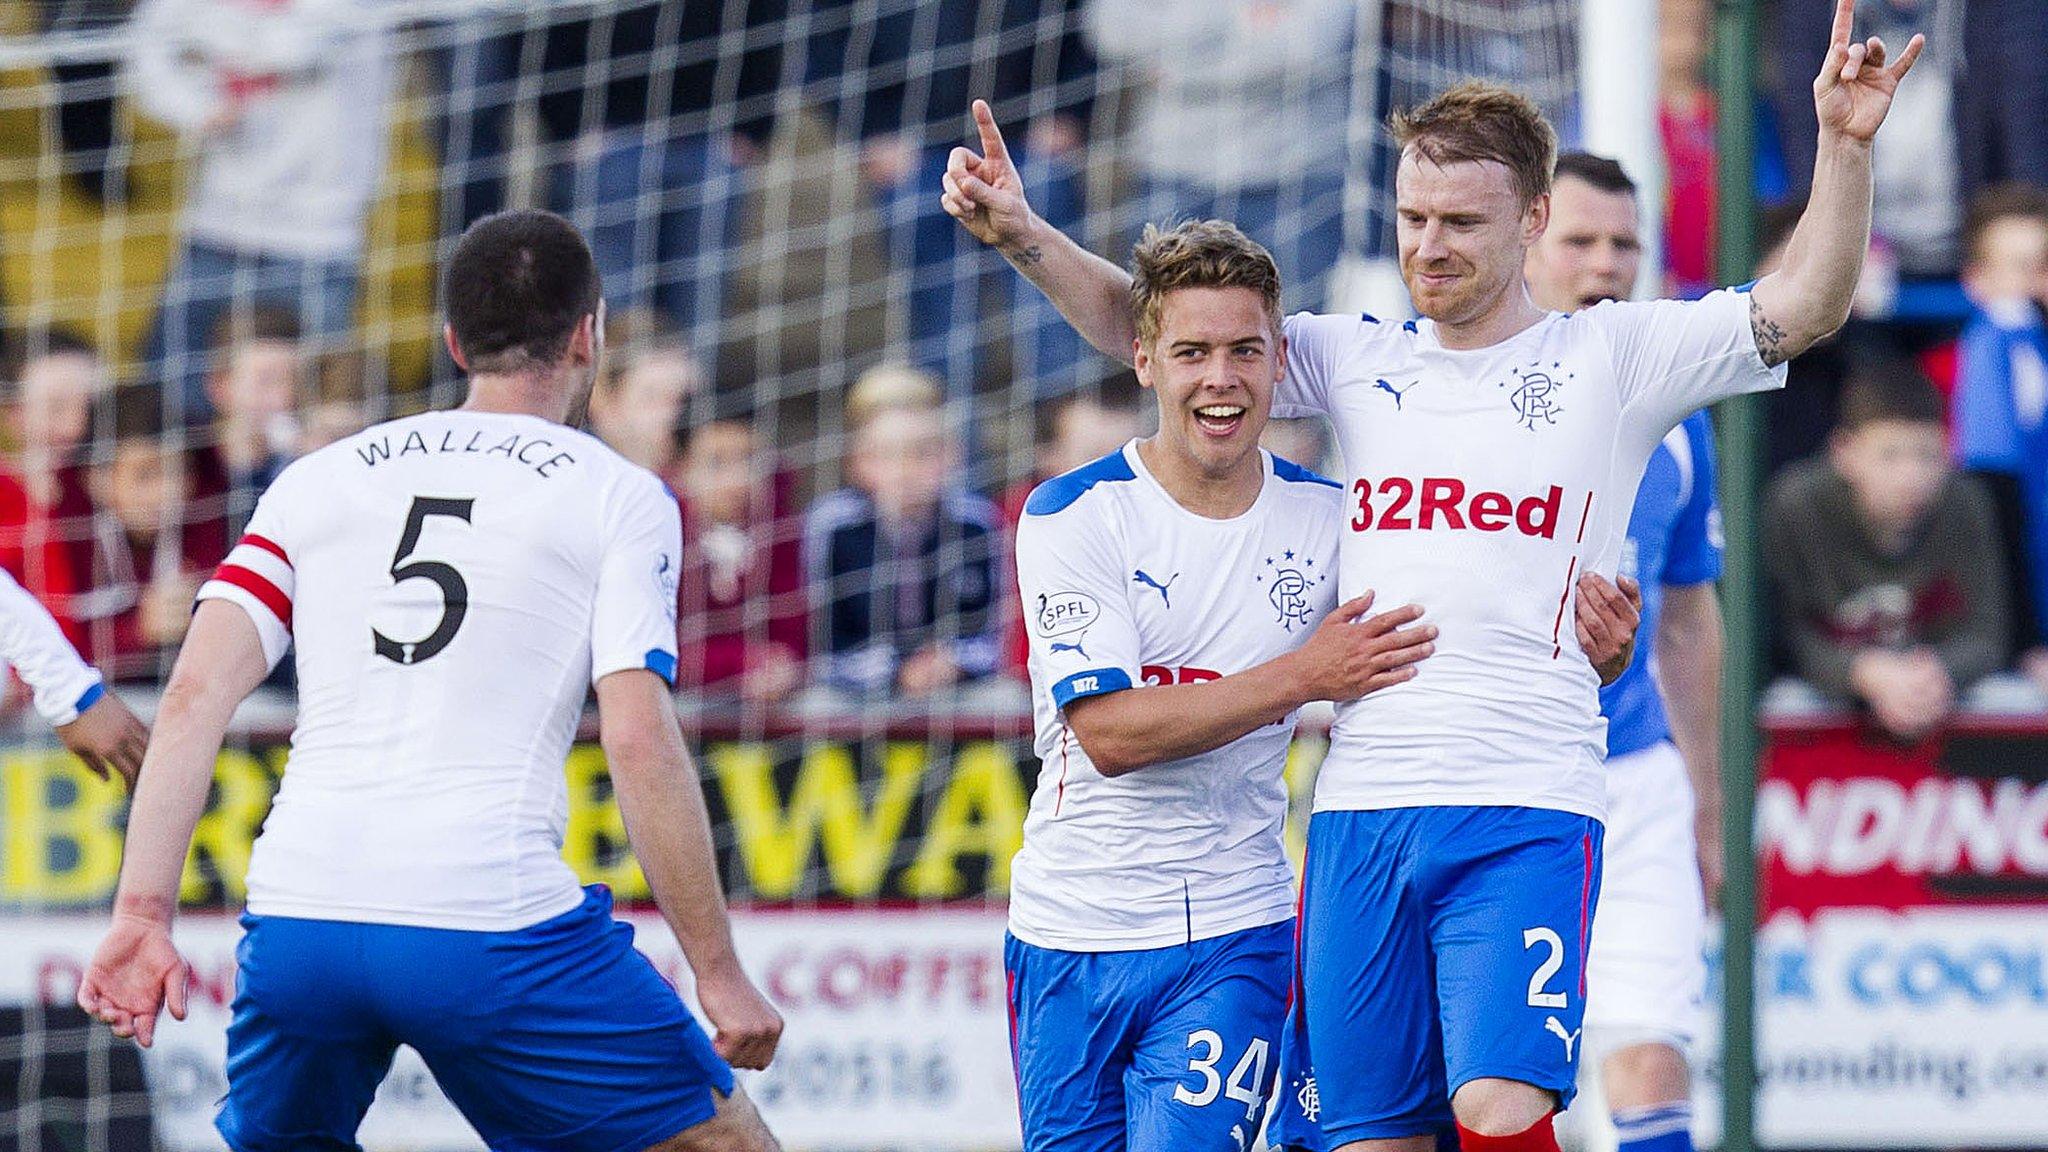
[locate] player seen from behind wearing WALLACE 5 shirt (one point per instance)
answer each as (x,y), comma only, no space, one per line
(454,585)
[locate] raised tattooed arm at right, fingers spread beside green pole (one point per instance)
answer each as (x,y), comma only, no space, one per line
(1809,294)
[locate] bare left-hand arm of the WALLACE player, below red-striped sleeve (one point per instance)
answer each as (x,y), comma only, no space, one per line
(136,969)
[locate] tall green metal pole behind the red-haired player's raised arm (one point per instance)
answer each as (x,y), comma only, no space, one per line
(1736,81)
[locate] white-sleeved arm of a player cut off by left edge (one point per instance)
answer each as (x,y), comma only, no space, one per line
(69,694)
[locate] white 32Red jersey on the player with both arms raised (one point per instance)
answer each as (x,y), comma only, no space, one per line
(1482,485)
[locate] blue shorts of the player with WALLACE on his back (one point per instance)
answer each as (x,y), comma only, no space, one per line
(554,1038)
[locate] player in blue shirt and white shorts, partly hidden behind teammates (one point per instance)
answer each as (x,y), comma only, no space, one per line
(1646,971)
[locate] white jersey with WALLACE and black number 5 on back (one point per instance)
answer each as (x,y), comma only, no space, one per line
(454,585)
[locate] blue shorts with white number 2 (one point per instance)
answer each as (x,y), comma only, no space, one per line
(1439,946)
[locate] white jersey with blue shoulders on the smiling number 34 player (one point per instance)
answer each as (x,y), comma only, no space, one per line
(1123,587)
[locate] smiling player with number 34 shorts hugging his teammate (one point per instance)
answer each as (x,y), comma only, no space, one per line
(1152,903)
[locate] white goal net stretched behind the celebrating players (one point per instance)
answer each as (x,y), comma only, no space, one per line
(191,186)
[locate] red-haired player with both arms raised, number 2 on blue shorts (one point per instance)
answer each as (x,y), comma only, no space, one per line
(1494,452)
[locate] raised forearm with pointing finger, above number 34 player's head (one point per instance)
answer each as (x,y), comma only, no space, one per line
(986,194)
